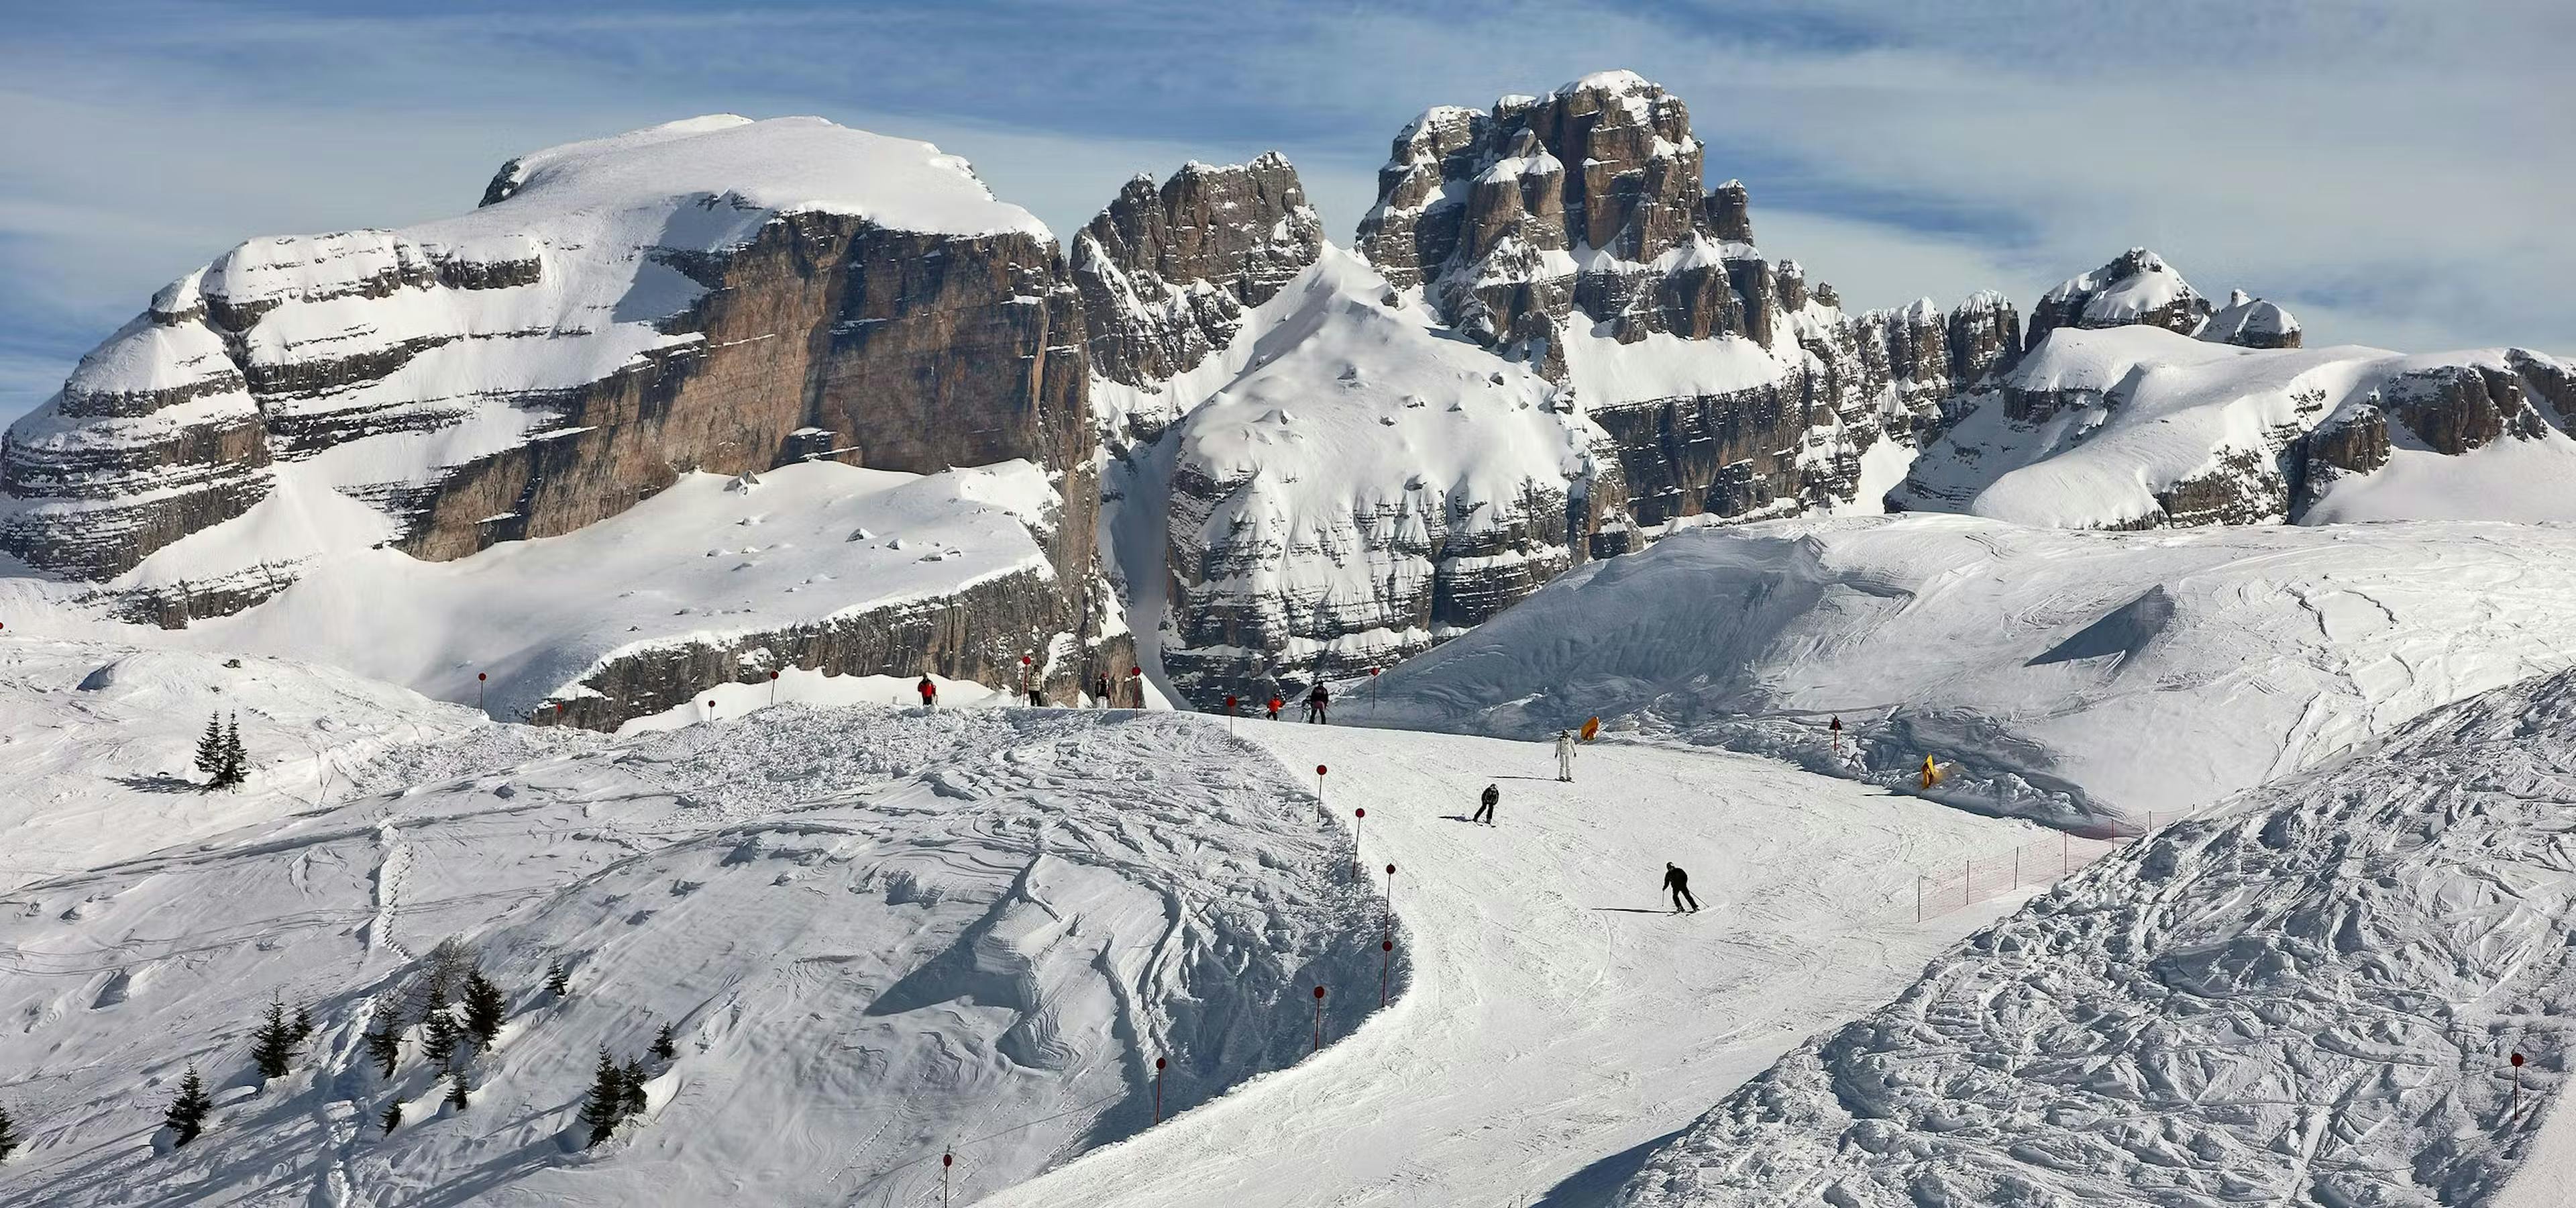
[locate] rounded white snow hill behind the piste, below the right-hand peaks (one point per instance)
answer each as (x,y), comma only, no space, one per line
(2088,679)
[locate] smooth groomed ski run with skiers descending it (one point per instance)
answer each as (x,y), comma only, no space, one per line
(1560,1019)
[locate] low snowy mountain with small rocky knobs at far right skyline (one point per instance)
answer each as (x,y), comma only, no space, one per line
(2142,408)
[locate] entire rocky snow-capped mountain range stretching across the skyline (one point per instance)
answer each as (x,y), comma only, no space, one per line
(730,297)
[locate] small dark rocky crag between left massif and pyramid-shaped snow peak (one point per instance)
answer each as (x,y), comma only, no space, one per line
(1166,274)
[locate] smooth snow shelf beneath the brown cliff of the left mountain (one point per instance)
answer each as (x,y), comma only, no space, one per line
(699,563)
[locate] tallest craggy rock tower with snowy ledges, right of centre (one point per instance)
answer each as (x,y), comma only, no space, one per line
(1573,233)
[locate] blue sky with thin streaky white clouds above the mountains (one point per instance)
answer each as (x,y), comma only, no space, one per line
(2397,174)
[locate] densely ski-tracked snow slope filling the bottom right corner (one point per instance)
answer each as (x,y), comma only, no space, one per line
(2304,1001)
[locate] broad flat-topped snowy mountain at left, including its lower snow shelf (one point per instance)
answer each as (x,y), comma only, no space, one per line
(622,321)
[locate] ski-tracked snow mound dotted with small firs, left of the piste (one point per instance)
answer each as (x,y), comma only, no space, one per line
(877,934)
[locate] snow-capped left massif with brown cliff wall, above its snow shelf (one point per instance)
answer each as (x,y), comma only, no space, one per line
(702,297)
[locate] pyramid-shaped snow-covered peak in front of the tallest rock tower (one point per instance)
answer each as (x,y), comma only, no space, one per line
(1361,488)
